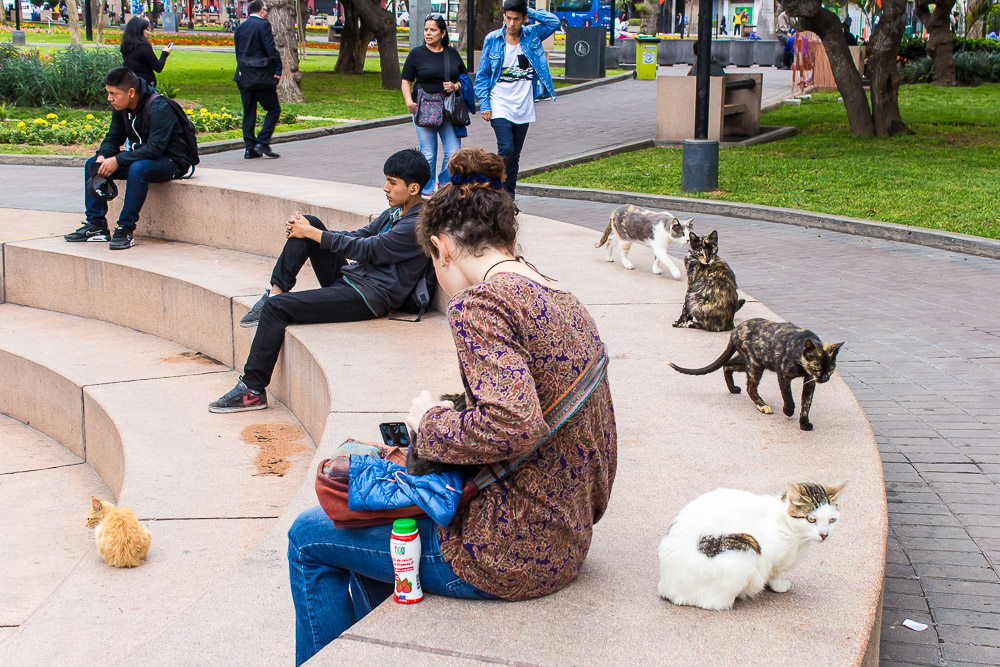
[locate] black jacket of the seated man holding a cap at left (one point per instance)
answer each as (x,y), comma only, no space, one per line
(161,136)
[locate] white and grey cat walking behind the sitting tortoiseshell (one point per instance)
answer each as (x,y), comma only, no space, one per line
(630,224)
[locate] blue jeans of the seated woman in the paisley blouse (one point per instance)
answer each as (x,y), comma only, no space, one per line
(339,576)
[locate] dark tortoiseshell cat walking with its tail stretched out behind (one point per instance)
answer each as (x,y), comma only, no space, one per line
(758,345)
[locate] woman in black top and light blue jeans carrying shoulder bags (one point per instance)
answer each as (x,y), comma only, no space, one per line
(435,66)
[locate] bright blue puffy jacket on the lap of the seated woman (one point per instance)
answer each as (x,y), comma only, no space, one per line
(380,484)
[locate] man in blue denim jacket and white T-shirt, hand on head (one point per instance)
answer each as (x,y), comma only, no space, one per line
(513,73)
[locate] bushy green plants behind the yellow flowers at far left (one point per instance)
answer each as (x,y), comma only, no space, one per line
(70,77)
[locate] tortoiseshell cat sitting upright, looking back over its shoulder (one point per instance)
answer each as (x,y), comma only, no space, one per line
(711,300)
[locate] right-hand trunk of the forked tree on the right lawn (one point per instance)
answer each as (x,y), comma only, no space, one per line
(883,51)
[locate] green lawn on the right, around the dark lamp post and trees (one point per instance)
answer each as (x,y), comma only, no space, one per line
(946,176)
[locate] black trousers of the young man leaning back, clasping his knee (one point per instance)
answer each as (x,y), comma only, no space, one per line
(335,301)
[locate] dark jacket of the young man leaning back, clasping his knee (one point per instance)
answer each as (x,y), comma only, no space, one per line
(388,264)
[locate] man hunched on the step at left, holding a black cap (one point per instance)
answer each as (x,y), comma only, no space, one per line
(155,150)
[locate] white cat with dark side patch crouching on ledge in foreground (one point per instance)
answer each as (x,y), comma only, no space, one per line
(728,544)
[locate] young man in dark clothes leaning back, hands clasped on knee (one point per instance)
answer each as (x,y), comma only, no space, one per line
(389,266)
